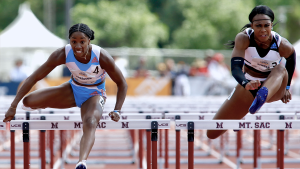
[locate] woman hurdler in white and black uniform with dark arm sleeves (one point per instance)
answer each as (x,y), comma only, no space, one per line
(255,64)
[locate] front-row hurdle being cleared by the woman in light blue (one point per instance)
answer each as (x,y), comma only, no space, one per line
(77,125)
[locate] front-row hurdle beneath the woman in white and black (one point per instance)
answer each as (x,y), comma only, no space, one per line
(237,125)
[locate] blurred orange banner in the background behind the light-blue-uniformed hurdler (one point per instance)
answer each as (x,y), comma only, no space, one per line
(136,86)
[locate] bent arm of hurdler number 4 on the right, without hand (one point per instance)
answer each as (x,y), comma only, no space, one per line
(108,63)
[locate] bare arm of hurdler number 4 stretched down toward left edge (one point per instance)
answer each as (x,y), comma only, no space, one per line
(55,59)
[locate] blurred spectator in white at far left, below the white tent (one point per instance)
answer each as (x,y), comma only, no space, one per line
(19,72)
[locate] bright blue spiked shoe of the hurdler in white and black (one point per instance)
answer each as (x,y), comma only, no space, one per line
(259,100)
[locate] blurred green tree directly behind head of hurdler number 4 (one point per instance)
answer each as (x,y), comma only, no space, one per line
(121,23)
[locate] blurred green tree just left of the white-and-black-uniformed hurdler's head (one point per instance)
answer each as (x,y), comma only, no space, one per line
(210,24)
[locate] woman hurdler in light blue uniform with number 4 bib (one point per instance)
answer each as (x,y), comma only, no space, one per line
(88,64)
